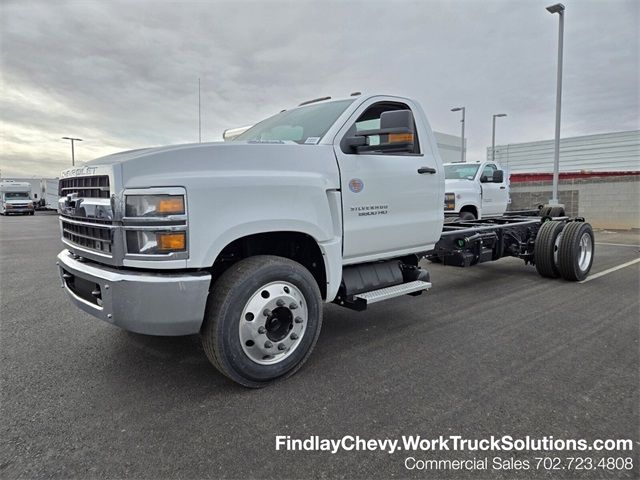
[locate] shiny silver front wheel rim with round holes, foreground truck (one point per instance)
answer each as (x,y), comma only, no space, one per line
(273,323)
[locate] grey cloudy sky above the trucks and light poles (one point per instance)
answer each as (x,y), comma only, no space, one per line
(124,75)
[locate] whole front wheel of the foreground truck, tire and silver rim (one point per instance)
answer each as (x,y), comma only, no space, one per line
(262,320)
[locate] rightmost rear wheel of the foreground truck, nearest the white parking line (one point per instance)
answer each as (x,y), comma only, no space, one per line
(576,252)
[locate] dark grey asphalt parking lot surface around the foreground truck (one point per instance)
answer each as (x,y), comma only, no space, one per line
(490,350)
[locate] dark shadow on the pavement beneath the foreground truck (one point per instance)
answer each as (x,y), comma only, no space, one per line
(182,363)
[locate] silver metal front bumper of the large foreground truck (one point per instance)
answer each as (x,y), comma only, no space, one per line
(142,302)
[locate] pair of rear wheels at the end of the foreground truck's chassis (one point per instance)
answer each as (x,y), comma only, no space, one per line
(564,250)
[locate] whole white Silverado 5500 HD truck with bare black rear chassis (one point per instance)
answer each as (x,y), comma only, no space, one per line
(241,242)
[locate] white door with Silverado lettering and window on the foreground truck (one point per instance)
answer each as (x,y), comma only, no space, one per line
(389,207)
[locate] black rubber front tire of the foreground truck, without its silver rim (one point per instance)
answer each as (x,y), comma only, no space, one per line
(227,300)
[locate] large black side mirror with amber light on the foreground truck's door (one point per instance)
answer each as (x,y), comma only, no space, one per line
(396,134)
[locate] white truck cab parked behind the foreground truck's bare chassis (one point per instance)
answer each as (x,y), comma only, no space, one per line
(475,190)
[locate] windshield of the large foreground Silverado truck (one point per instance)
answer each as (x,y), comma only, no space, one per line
(301,125)
